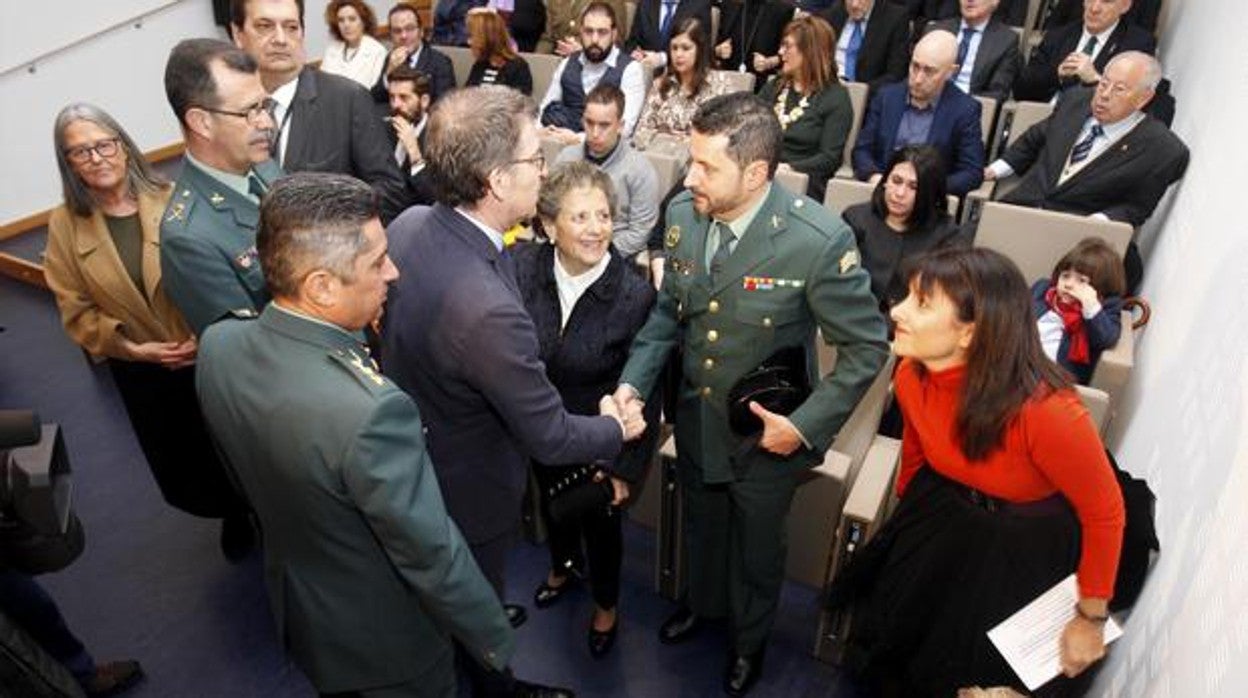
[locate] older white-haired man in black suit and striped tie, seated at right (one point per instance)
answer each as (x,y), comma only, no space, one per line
(1099,154)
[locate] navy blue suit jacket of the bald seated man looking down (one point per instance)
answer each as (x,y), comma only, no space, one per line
(955,132)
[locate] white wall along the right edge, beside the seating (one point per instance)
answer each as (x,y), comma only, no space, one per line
(1185,425)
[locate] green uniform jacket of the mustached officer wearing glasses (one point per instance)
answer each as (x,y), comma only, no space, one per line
(209,263)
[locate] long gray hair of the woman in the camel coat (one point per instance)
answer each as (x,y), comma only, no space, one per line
(140,177)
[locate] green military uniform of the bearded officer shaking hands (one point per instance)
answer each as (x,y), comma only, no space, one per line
(796,269)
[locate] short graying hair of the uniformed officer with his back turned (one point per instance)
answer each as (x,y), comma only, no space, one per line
(310,222)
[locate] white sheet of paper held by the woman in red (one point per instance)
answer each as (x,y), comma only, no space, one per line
(1031,639)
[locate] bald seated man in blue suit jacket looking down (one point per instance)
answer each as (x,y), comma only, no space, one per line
(927,109)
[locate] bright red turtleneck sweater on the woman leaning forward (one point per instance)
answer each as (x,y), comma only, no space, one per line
(1051,446)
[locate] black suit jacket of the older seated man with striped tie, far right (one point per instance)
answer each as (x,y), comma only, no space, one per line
(1125,183)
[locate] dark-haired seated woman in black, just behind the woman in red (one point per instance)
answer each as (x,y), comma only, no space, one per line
(907,218)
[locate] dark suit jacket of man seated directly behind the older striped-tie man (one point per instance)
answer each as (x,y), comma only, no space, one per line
(1039,79)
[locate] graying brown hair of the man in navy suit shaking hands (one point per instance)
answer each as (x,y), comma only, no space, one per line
(472,133)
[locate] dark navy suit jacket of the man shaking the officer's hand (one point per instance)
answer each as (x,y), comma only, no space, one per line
(457,339)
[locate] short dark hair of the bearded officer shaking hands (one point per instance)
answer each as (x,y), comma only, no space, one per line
(752,128)
